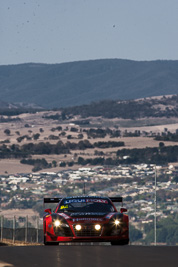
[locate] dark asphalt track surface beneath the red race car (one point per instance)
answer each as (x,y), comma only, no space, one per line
(89,256)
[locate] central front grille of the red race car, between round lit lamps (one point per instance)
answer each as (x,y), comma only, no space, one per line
(87,230)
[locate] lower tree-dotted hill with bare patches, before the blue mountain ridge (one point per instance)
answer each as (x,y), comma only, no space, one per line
(165,106)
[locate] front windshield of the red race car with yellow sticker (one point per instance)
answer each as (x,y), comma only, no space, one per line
(86,205)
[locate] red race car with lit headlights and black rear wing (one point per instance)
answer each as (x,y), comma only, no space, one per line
(85,219)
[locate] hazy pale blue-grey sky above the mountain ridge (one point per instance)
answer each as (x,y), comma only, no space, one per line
(55,31)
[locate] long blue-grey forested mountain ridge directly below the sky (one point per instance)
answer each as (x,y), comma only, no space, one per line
(78,83)
